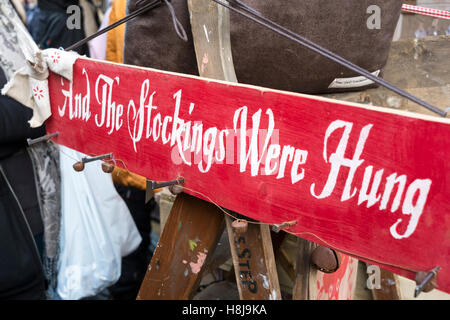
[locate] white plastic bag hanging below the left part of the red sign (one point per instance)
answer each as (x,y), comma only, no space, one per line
(96,229)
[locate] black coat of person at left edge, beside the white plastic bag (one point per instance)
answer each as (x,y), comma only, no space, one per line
(21,227)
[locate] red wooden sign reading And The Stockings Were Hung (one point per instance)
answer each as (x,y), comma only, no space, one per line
(371,182)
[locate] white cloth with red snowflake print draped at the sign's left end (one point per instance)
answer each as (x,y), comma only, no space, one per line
(29,84)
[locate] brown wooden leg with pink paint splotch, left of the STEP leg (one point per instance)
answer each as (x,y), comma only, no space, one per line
(187,242)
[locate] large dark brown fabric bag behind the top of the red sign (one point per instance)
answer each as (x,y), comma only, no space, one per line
(264,58)
